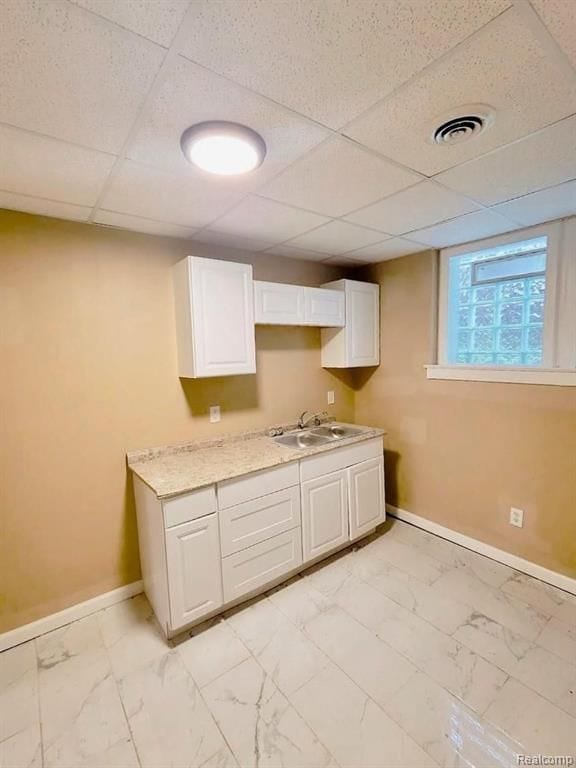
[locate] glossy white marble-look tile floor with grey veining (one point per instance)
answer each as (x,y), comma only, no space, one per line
(405,651)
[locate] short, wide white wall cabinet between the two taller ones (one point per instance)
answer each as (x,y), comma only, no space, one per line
(282,304)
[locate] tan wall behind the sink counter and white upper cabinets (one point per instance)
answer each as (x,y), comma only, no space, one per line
(87,347)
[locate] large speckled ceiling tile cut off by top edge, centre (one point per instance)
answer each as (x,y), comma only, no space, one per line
(329,59)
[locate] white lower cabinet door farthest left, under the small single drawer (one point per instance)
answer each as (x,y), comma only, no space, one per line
(194,570)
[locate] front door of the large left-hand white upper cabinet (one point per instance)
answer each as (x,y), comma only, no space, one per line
(222,317)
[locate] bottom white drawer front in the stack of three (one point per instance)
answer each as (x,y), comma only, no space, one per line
(257,566)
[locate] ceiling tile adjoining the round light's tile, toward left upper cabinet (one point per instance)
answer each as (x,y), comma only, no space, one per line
(182,198)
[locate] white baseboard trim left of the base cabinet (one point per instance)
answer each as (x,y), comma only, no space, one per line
(79,611)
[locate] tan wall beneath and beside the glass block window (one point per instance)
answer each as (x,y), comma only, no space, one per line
(461,453)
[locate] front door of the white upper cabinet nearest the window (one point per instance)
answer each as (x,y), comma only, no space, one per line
(362,324)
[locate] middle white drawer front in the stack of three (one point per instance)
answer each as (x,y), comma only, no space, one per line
(246,524)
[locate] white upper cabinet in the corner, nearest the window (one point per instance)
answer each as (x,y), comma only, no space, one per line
(358,342)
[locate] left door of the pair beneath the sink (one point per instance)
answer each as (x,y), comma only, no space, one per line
(324,514)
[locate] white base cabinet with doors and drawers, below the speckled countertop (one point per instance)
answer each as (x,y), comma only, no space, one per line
(209,549)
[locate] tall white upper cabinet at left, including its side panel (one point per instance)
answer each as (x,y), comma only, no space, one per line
(214,318)
